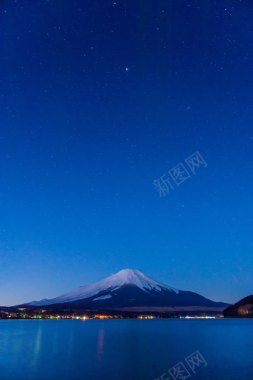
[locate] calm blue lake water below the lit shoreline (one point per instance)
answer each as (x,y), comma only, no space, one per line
(124,349)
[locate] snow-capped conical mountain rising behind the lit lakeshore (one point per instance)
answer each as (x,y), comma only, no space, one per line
(128,288)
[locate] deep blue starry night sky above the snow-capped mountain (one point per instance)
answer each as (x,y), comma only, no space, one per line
(99,99)
